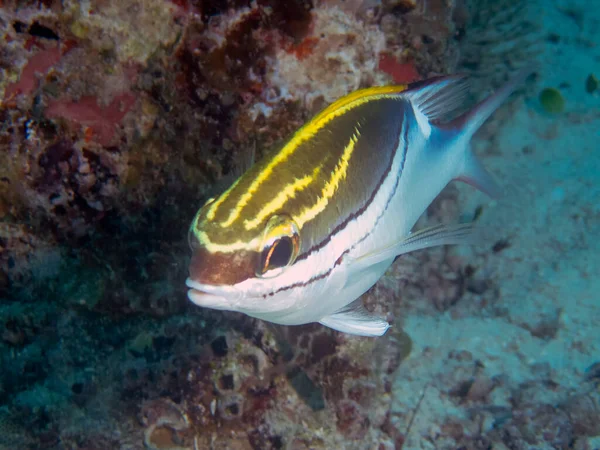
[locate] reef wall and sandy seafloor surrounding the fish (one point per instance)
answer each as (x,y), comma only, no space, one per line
(120,118)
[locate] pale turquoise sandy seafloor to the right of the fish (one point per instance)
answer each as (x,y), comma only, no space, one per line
(532,336)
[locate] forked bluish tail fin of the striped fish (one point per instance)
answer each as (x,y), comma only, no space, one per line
(462,129)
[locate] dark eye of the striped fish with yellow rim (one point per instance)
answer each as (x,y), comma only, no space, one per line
(280,246)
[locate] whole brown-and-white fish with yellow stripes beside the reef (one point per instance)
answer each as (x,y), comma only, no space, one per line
(303,233)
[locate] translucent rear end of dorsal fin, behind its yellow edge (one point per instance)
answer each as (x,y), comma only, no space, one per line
(439,97)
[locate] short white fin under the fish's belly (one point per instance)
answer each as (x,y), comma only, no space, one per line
(355,319)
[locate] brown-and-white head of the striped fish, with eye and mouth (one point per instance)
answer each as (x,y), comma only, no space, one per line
(239,269)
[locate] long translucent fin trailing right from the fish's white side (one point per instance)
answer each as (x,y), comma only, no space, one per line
(463,233)
